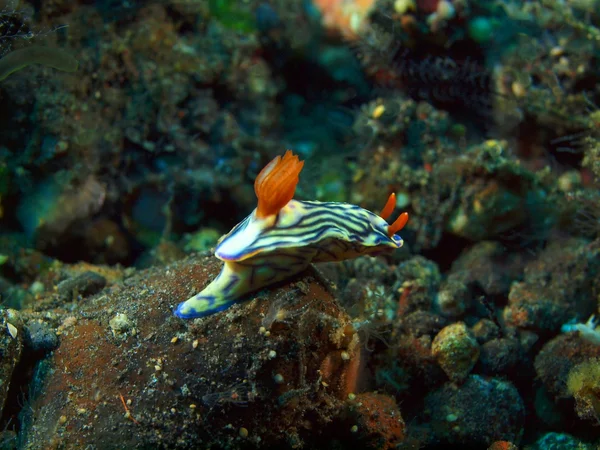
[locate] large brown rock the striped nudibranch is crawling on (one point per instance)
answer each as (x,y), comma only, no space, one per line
(163,382)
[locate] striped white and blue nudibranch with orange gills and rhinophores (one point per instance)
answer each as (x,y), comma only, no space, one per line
(283,236)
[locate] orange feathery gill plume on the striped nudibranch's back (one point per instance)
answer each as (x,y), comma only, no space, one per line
(276,183)
